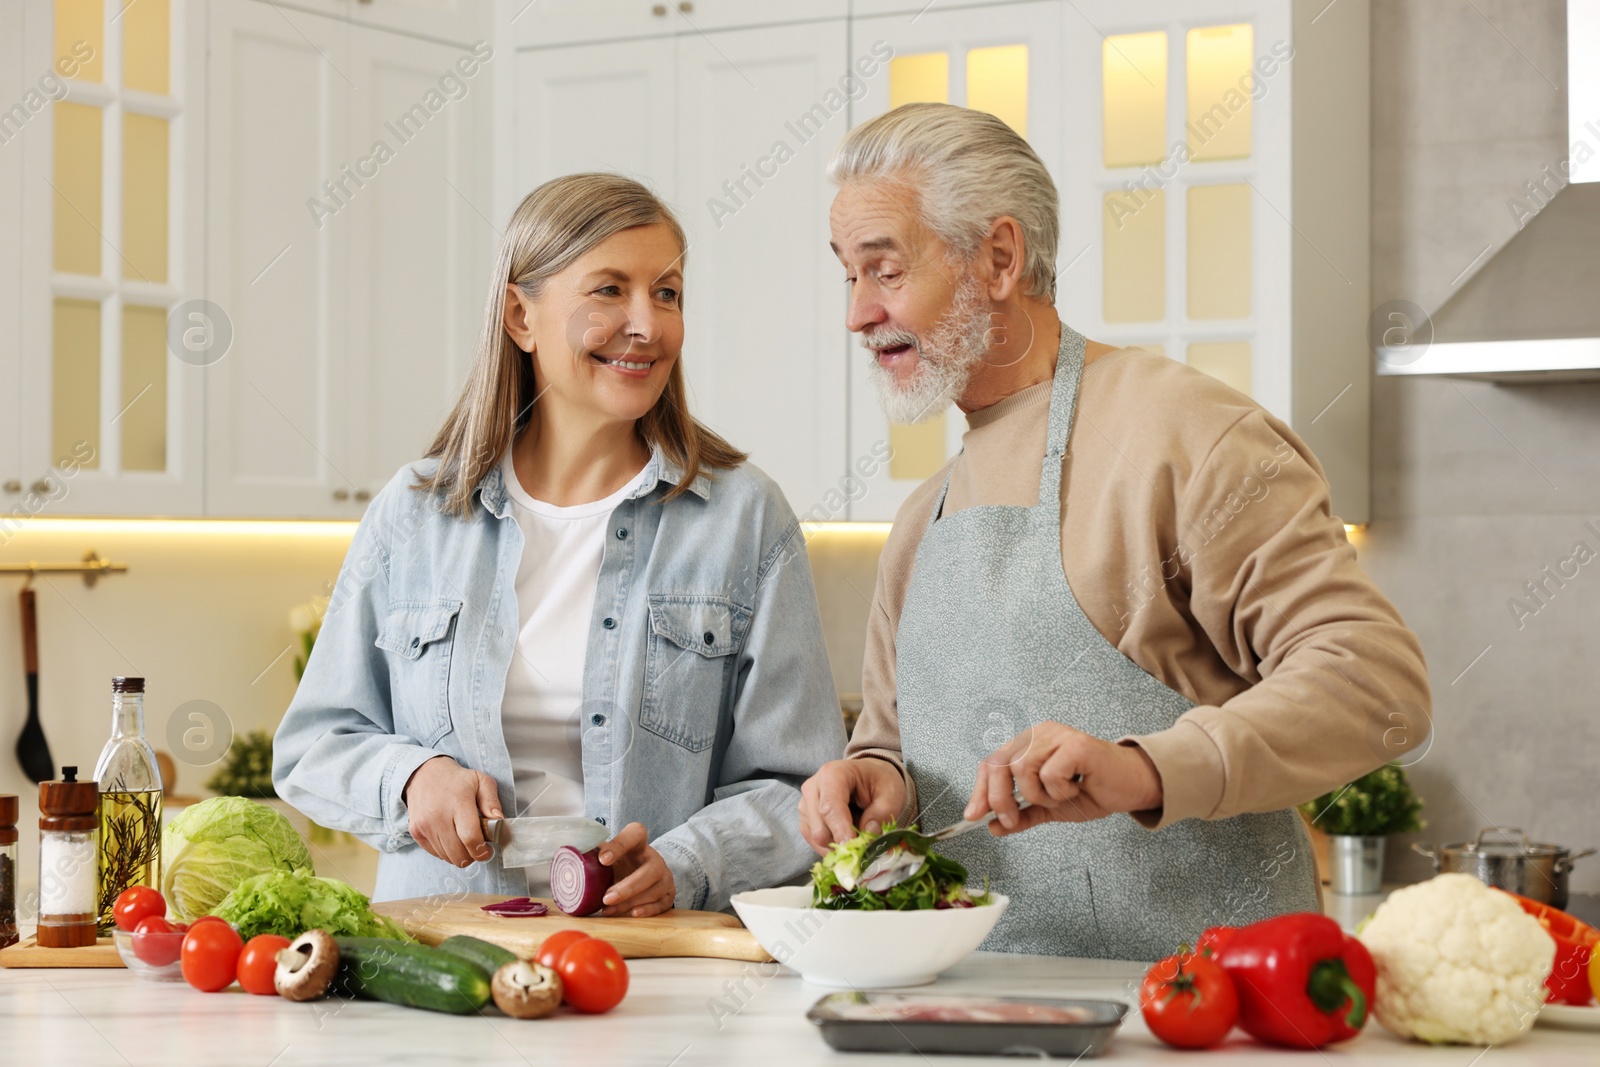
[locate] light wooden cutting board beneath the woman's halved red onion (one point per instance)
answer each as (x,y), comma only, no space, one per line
(676,933)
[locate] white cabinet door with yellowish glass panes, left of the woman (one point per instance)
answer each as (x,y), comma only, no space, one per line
(116,404)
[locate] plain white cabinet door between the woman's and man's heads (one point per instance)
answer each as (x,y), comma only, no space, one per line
(759,116)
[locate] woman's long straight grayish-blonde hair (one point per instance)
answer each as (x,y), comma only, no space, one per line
(556,225)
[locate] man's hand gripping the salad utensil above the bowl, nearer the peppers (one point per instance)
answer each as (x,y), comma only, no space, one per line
(1070,777)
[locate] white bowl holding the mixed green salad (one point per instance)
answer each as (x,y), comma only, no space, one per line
(863,949)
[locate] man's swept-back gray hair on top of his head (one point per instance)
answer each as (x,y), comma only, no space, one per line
(967,169)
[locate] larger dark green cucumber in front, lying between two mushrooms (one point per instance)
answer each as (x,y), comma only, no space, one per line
(410,975)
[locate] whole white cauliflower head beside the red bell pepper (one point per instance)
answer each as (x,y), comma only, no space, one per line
(1458,962)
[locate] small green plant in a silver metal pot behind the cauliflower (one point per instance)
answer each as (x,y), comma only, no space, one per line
(1358,820)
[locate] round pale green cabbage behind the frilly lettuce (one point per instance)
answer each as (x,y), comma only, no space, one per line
(215,845)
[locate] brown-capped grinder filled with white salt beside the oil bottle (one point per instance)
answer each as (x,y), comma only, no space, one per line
(68,853)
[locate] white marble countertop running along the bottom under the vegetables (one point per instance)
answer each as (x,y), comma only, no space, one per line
(82,1017)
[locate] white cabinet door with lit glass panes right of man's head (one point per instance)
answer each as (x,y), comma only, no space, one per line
(1182,190)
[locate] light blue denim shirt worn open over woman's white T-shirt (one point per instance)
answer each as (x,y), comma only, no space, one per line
(708,695)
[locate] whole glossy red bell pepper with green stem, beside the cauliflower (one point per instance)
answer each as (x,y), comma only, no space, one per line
(1302,981)
